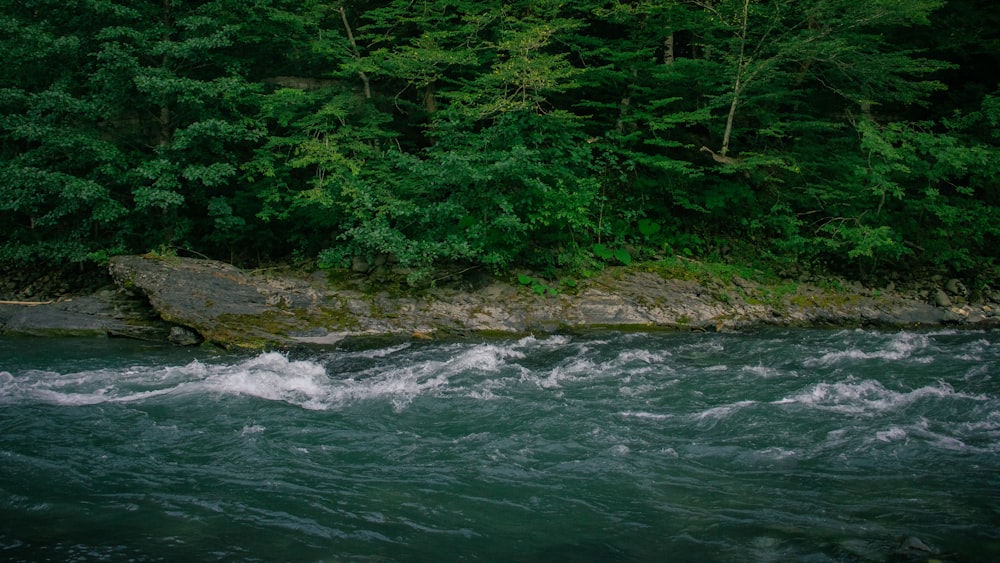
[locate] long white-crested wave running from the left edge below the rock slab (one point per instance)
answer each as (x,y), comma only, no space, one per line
(396,374)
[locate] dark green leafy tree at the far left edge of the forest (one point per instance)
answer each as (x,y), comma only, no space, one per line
(62,189)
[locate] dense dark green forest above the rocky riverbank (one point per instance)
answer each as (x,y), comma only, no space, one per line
(856,137)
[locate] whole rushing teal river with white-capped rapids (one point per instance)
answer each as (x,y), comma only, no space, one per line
(765,446)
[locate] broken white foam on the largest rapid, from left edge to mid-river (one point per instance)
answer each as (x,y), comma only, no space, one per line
(273,376)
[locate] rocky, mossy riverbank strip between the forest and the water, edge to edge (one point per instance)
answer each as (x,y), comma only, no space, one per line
(189,301)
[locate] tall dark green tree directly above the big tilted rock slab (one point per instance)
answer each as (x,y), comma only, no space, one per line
(173,72)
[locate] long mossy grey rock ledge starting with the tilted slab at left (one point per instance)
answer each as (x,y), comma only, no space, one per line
(228,306)
